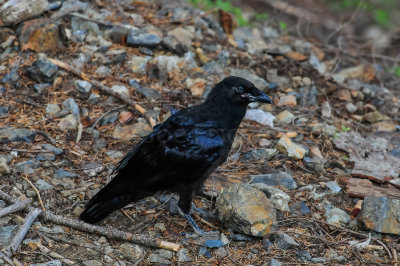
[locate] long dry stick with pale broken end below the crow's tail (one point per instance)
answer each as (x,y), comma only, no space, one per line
(109,232)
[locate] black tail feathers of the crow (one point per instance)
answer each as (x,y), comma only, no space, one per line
(102,204)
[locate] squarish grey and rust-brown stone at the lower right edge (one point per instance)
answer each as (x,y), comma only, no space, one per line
(381,214)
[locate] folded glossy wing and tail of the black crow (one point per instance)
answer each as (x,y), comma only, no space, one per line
(178,153)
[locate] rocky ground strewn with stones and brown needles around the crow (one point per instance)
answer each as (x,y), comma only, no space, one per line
(311,179)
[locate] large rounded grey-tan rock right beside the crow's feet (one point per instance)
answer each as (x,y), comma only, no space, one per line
(246,210)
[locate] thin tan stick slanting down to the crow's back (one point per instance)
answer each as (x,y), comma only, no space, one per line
(99,85)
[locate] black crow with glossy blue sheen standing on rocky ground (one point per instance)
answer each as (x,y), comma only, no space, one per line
(180,153)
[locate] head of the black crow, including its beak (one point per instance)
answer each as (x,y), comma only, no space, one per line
(238,90)
